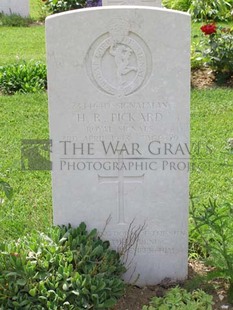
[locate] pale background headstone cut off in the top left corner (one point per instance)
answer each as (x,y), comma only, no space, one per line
(20,7)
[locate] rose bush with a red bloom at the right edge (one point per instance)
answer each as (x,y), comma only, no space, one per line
(218,43)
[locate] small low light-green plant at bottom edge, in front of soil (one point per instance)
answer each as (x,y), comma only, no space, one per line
(180,299)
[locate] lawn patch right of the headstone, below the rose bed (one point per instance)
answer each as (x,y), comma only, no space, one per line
(211,126)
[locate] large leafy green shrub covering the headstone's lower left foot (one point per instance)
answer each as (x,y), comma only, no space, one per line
(65,268)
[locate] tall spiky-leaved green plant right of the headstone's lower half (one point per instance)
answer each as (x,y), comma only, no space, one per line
(213,224)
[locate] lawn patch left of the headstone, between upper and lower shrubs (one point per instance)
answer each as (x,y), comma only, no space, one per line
(23,117)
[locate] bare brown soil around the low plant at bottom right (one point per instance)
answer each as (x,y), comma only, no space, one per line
(135,297)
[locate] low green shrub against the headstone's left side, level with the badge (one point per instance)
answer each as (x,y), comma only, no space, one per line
(23,77)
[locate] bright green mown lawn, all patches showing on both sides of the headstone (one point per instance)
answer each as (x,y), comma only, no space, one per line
(25,117)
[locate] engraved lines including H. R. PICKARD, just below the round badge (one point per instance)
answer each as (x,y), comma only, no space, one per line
(123,120)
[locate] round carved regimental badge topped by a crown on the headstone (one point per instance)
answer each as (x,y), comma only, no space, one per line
(119,62)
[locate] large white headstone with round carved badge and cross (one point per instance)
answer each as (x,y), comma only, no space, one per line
(119,120)
